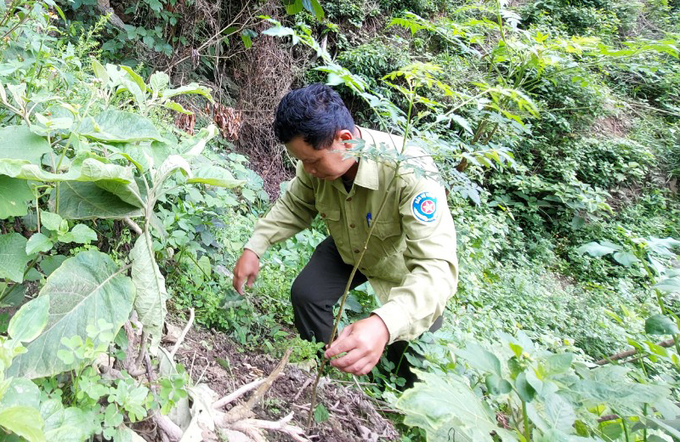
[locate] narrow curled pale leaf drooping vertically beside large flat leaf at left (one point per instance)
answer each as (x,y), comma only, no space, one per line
(150,284)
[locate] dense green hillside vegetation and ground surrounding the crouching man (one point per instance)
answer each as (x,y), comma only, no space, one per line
(136,154)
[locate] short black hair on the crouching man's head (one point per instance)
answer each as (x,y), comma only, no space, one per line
(315,113)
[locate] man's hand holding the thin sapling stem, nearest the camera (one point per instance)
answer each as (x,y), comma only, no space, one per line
(362,342)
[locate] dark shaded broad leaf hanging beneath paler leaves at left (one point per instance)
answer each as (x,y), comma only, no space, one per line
(88,201)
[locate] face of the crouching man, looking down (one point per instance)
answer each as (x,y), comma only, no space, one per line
(326,164)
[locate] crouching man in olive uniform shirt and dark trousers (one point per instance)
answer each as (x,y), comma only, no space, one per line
(411,257)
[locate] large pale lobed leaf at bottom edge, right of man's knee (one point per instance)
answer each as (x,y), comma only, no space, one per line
(445,406)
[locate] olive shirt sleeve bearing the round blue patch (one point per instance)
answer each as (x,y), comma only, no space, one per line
(430,256)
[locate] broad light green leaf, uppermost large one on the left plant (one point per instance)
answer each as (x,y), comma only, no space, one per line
(119,127)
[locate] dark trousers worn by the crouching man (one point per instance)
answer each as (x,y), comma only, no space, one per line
(316,290)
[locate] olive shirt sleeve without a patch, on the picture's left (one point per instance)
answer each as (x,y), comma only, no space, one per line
(292,213)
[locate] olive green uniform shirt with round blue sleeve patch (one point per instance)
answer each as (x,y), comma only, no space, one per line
(411,256)
